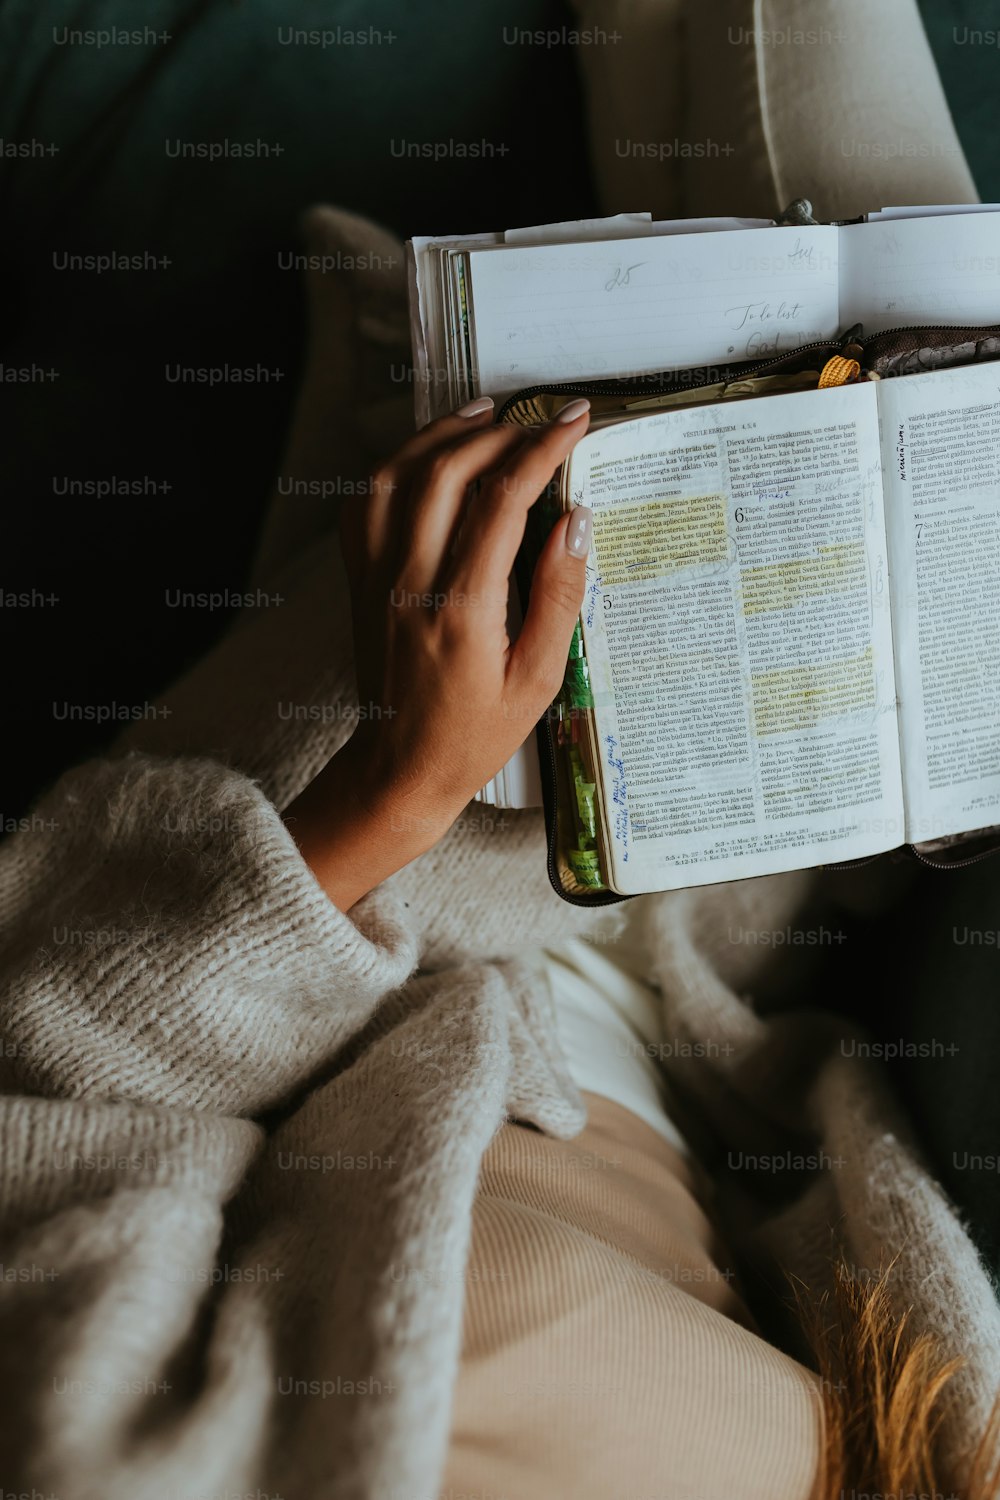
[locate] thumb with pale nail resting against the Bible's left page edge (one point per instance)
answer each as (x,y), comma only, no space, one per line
(537,664)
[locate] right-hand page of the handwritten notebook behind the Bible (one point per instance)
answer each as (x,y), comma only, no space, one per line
(942,271)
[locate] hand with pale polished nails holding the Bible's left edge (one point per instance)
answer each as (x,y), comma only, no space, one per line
(448,697)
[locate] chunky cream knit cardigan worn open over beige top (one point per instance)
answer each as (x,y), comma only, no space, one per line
(230,1112)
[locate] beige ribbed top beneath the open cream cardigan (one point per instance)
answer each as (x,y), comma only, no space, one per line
(608,1354)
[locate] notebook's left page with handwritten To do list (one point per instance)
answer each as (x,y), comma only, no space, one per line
(620,308)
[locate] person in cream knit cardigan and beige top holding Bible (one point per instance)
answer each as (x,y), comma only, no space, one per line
(343,1159)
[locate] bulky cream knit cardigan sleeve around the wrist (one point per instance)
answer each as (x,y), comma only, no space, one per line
(164,944)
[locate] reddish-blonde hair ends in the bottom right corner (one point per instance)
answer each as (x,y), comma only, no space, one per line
(887,1391)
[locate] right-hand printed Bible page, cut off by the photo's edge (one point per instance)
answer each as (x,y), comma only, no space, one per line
(942,464)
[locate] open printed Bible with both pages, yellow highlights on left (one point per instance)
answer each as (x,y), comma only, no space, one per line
(794,628)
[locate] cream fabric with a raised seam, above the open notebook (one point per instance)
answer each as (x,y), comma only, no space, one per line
(735,107)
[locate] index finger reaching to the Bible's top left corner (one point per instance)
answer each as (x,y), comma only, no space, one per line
(496,526)
